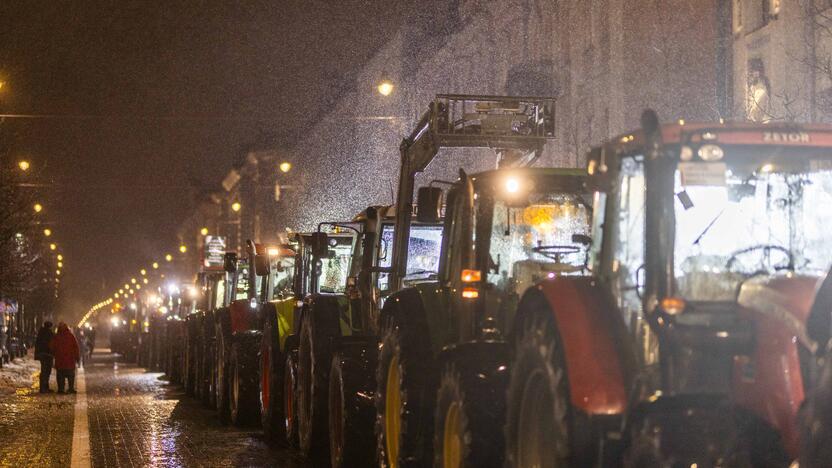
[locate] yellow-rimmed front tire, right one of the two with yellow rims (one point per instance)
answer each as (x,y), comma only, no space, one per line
(470,407)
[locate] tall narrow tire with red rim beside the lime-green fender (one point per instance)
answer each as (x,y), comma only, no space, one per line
(272,364)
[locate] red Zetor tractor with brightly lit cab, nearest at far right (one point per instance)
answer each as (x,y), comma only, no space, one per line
(688,344)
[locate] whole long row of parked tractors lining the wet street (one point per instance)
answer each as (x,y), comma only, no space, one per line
(664,305)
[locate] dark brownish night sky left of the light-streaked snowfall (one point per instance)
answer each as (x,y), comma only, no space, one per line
(138,105)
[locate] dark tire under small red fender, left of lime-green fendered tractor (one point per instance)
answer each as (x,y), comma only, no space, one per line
(244,398)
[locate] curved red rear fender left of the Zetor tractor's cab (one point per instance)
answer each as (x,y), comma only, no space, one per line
(599,356)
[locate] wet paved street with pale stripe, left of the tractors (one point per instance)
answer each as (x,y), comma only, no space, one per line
(134,418)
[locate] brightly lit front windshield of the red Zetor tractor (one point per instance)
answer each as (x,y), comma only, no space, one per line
(732,223)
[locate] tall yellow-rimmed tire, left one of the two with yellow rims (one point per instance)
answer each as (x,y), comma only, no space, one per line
(406,382)
